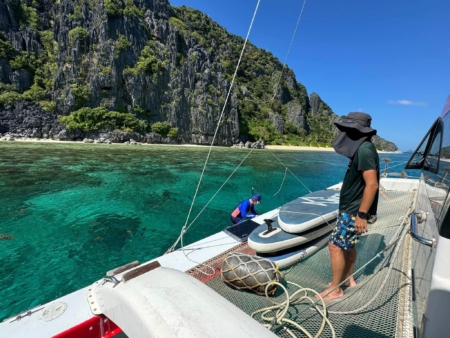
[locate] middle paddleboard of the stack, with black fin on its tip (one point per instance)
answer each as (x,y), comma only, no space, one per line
(261,240)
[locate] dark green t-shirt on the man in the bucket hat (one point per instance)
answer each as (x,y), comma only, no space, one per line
(366,158)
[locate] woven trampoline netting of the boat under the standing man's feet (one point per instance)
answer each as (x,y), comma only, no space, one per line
(386,286)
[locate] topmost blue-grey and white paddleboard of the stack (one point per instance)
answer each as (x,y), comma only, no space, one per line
(309,211)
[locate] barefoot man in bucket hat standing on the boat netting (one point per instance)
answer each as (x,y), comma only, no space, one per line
(358,199)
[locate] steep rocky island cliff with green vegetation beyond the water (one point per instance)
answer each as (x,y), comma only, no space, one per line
(72,70)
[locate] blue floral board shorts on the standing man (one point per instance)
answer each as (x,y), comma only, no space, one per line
(344,235)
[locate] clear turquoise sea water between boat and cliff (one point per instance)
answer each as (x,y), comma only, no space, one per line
(74,211)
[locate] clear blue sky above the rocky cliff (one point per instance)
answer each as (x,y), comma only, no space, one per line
(390,59)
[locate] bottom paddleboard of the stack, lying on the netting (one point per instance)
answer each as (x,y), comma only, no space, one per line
(290,256)
